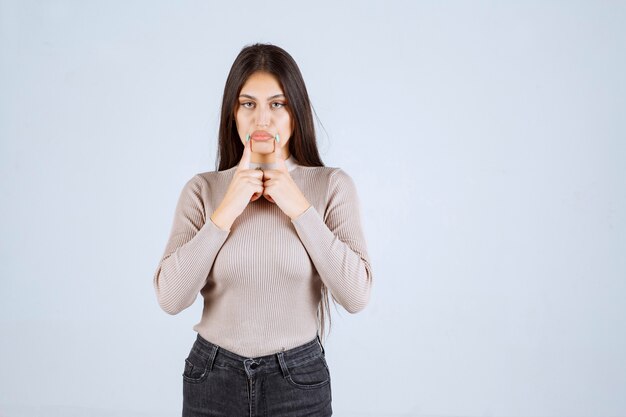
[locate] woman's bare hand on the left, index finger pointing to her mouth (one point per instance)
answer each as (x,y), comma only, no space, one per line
(245,187)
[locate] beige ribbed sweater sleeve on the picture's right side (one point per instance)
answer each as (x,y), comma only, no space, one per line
(336,245)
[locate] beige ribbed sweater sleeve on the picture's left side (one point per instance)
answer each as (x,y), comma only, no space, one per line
(190,251)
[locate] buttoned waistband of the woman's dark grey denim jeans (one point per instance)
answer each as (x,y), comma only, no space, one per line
(280,361)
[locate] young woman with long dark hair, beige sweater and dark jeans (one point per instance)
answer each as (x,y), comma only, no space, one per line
(264,239)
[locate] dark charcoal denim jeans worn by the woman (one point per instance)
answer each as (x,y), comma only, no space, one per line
(217,382)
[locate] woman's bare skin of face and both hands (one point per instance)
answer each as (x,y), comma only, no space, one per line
(262,106)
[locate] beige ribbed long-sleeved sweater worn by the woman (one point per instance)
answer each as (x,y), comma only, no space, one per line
(261,279)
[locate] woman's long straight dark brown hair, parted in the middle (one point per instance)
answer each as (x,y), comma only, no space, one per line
(302,143)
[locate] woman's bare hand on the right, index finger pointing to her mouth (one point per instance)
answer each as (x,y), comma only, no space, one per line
(280,188)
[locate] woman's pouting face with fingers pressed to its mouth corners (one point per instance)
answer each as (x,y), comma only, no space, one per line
(262,112)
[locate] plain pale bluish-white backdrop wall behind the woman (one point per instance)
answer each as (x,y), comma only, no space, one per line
(487,143)
